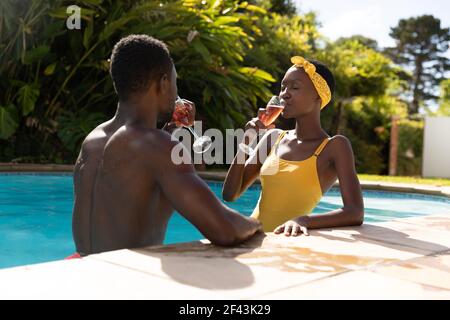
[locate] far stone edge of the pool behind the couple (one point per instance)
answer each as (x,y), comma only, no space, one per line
(220,176)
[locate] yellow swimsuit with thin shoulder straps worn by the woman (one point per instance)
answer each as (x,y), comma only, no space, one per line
(288,188)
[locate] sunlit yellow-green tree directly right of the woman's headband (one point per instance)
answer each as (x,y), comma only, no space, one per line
(363,102)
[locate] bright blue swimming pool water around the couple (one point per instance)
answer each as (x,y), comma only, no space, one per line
(36,212)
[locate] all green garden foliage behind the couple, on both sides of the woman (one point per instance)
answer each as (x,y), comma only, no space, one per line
(230,56)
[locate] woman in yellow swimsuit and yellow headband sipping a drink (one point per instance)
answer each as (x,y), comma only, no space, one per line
(299,165)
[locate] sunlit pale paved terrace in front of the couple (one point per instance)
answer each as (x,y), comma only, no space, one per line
(401,259)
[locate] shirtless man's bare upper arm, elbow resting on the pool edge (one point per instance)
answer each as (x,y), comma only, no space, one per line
(191,196)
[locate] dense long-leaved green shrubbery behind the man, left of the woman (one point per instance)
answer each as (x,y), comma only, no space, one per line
(48,74)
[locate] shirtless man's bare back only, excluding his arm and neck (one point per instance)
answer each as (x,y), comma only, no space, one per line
(118,202)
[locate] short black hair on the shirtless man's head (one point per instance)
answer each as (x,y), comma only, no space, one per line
(137,61)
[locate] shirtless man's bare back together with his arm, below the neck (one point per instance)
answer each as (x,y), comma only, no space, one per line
(126,188)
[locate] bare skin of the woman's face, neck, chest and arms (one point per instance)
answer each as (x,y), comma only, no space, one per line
(336,161)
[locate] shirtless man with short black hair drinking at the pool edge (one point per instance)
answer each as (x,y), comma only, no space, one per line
(126,185)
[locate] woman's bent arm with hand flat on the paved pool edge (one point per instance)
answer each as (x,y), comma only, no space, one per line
(352,213)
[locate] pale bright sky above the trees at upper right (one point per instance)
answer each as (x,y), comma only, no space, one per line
(371,18)
